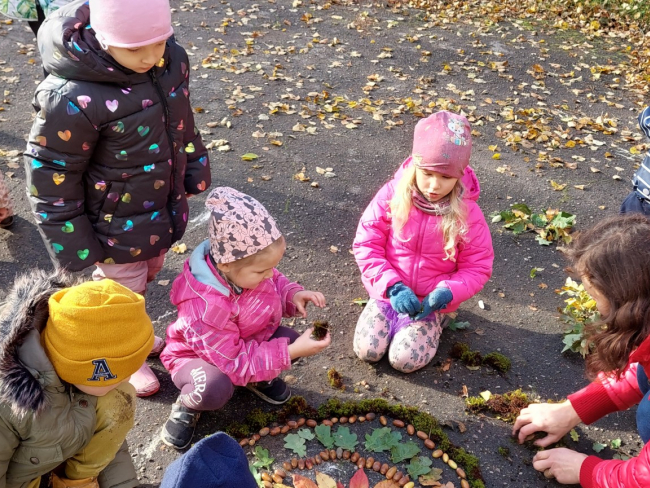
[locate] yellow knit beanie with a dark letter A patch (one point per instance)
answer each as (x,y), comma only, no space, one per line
(98,333)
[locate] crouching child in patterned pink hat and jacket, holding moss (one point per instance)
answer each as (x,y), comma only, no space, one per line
(230,301)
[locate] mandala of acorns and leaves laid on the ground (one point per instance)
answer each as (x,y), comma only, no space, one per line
(358,451)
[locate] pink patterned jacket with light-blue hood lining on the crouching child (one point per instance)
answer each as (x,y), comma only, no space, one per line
(225,329)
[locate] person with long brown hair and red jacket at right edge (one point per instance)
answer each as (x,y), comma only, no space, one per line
(613,261)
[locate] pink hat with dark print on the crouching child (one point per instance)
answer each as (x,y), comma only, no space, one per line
(239,225)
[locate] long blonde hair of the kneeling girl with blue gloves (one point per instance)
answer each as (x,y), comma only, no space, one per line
(454,223)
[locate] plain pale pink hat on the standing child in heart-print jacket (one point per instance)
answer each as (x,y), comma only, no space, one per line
(130,23)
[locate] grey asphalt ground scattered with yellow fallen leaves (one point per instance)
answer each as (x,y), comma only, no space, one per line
(317,86)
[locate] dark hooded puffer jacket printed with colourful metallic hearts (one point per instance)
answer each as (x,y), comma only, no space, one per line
(112,153)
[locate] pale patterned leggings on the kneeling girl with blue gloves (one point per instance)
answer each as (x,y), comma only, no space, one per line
(411,345)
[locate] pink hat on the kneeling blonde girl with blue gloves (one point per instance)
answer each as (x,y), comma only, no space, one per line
(443,142)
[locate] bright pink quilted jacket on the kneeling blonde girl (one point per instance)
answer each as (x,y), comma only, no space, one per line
(417,256)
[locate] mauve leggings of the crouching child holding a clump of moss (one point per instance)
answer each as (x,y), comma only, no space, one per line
(204,387)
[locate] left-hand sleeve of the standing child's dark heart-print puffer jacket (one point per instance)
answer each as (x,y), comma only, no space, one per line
(60,145)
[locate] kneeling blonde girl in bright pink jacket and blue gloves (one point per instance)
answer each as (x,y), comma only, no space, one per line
(423,247)
